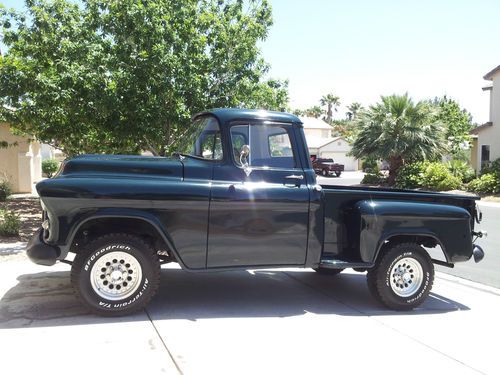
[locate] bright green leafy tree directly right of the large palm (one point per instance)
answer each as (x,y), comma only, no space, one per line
(457,124)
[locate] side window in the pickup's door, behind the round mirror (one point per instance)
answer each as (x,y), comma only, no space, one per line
(270,145)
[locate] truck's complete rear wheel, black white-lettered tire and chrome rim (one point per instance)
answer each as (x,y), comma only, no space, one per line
(402,279)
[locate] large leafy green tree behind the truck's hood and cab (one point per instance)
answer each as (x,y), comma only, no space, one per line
(126,75)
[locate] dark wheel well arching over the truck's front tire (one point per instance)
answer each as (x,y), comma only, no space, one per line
(100,226)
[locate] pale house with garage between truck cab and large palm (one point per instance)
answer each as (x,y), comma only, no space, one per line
(321,144)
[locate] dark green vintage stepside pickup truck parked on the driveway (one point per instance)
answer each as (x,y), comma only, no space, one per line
(242,194)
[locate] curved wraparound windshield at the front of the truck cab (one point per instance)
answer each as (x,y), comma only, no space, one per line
(204,141)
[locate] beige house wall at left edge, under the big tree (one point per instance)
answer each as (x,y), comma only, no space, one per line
(20,160)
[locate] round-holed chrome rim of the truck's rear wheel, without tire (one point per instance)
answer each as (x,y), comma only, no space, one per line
(406,277)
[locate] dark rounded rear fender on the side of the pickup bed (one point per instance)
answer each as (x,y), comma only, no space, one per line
(380,220)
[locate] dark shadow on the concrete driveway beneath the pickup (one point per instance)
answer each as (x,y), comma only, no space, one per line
(46,299)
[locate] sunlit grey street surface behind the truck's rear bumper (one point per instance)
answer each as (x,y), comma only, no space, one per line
(488,270)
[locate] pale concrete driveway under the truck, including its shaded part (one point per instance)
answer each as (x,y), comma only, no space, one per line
(247,322)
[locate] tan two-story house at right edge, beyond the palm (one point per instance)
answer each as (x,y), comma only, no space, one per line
(486,137)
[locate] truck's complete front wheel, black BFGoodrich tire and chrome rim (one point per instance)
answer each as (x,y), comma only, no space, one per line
(116,274)
